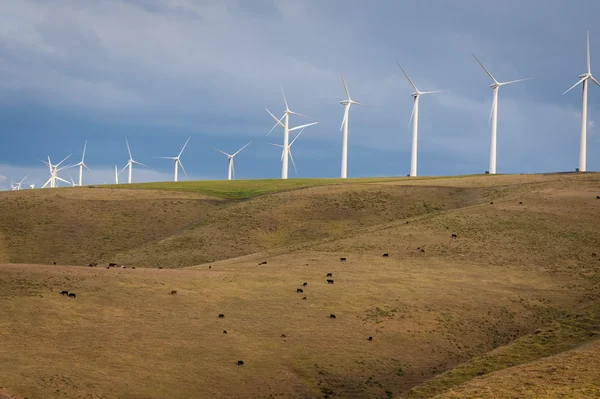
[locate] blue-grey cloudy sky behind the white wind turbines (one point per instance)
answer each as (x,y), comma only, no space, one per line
(160,71)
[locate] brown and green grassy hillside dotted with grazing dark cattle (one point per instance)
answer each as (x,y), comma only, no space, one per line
(509,308)
